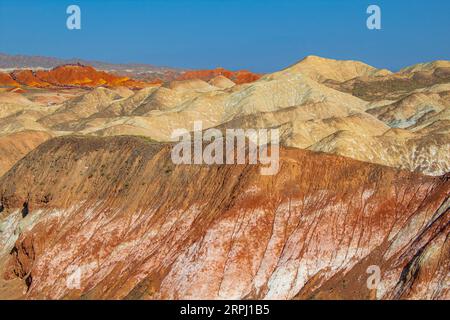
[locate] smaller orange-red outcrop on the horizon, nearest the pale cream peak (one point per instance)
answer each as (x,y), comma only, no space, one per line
(238,77)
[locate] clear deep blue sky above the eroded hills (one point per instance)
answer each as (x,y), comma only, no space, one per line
(258,35)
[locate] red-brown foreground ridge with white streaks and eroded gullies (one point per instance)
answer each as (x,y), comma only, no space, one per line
(133,225)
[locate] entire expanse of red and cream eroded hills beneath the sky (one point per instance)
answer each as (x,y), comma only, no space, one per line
(87,182)
